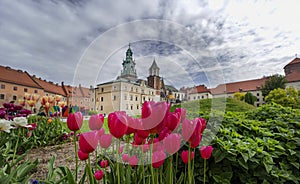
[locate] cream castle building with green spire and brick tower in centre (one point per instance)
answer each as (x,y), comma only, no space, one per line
(128,93)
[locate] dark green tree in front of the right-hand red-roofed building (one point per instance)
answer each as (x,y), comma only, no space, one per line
(274,82)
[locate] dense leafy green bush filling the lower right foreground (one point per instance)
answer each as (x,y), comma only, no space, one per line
(260,146)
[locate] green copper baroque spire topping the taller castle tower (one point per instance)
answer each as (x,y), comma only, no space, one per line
(128,72)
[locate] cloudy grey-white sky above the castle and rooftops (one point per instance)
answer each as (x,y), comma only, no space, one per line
(193,42)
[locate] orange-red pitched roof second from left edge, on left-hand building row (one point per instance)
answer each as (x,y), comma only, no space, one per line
(49,86)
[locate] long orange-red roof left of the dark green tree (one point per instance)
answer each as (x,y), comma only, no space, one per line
(242,86)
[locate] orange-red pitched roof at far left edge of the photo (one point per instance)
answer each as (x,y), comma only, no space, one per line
(10,75)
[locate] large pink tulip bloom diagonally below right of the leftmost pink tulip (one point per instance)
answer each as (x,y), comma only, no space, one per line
(88,142)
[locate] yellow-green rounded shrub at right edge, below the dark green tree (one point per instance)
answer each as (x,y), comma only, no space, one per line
(288,97)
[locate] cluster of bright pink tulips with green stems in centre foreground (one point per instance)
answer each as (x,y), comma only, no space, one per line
(138,150)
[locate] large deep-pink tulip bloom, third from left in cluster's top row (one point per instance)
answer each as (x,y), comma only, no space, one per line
(117,124)
